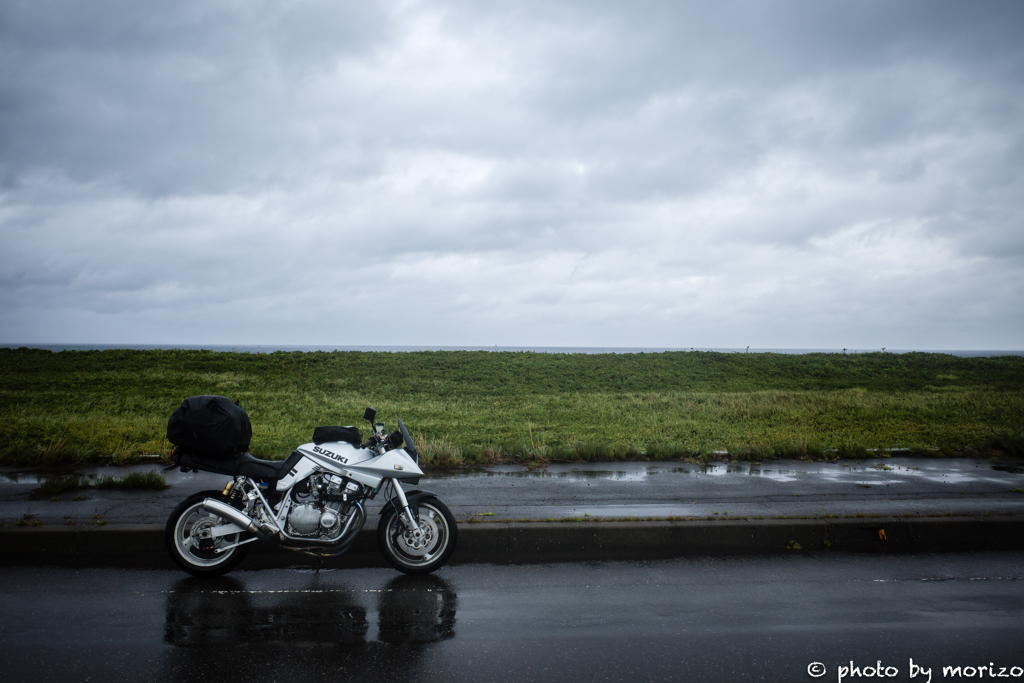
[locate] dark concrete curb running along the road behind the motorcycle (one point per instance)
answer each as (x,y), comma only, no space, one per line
(143,545)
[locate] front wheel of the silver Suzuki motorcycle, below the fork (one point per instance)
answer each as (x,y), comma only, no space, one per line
(411,554)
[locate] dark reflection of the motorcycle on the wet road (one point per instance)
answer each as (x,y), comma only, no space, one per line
(226,630)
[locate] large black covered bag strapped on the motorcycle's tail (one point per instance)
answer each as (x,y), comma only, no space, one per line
(211,426)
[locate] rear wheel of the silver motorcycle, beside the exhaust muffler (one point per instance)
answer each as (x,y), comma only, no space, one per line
(184,538)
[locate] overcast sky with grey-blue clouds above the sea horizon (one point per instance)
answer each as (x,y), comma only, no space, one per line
(774,175)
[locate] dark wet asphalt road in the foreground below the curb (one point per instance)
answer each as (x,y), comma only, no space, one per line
(734,620)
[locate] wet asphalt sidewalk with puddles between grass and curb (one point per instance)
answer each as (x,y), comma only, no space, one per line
(788,489)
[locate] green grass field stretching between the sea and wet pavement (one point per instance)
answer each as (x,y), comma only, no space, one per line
(478,407)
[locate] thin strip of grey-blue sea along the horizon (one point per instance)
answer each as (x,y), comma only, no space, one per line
(271,349)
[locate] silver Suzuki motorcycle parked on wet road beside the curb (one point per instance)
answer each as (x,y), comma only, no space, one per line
(313,503)
